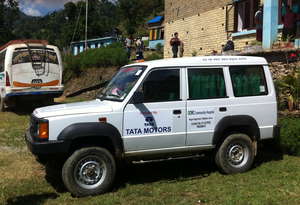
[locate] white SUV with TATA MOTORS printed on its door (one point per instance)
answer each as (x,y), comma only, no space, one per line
(161,109)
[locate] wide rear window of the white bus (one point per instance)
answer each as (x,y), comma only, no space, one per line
(34,55)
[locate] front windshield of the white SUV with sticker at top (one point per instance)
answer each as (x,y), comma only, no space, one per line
(122,83)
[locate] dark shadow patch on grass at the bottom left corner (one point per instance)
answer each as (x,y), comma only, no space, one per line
(36,199)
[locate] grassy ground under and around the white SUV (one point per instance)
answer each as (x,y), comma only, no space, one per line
(275,178)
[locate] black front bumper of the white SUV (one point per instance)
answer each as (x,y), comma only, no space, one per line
(45,148)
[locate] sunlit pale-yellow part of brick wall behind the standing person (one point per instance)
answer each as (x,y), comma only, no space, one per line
(200,33)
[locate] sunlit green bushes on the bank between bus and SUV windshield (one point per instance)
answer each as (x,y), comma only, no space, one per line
(113,55)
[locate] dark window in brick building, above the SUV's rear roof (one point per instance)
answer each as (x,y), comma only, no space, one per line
(244,14)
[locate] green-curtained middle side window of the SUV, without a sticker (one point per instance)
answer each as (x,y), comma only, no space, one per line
(206,83)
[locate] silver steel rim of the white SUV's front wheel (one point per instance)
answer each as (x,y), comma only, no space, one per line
(90,172)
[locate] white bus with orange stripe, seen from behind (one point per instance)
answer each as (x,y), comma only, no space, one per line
(30,70)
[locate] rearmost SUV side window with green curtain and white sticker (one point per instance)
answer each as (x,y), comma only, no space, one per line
(248,80)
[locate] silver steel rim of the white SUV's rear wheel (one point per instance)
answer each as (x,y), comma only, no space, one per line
(238,155)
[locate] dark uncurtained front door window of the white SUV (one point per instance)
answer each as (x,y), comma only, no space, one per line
(162,86)
